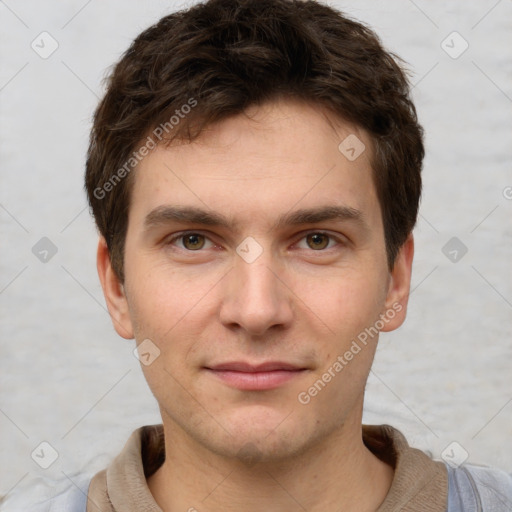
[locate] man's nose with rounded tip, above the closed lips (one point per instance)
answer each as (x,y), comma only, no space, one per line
(255,299)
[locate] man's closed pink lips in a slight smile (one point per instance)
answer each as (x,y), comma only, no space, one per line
(255,377)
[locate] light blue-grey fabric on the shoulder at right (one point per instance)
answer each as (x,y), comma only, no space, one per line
(476,488)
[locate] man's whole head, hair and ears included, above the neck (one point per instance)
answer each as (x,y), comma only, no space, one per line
(280,137)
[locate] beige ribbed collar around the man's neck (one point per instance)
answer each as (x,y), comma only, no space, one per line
(419,483)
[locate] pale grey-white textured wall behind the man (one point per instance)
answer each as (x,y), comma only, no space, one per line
(68,379)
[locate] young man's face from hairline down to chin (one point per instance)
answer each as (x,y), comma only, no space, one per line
(259,246)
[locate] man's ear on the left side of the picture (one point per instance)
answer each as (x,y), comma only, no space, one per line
(113,291)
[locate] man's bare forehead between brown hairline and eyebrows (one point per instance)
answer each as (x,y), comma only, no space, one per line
(261,164)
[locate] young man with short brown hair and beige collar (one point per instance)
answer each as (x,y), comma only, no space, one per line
(254,172)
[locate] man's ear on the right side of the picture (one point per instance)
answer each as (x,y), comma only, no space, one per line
(399,287)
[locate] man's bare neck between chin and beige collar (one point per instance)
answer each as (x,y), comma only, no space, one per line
(339,473)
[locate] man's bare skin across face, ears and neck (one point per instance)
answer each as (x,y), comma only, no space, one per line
(231,449)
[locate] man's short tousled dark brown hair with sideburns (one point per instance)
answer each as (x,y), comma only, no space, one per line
(220,57)
